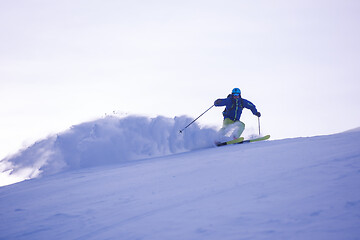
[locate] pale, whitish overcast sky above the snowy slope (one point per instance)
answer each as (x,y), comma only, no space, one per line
(66,62)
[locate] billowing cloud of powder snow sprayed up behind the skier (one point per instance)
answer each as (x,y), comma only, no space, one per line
(110,140)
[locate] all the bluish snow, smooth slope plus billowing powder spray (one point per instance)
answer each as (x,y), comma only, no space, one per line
(301,188)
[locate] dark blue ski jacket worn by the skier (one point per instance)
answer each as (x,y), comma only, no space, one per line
(234,107)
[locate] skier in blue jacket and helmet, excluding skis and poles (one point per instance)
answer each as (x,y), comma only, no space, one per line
(234,105)
